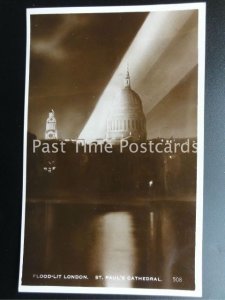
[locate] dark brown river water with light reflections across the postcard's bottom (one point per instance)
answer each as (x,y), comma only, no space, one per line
(112,245)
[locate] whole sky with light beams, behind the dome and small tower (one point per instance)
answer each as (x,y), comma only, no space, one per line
(80,60)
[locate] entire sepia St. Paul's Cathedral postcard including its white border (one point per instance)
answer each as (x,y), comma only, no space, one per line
(113,150)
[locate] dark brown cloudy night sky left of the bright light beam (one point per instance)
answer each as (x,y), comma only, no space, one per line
(73,56)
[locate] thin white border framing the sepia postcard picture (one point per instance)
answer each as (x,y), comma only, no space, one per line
(201,7)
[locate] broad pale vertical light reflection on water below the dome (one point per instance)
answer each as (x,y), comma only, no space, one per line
(116,247)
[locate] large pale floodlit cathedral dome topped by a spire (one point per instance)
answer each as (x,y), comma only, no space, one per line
(126,119)
